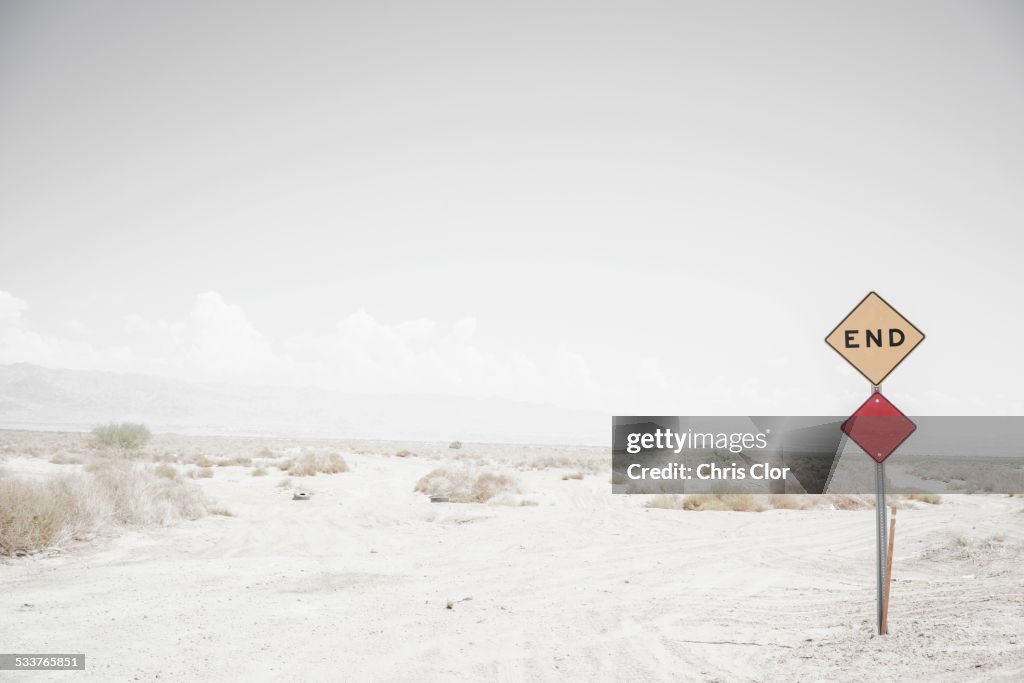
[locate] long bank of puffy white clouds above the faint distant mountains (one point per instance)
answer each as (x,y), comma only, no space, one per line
(218,341)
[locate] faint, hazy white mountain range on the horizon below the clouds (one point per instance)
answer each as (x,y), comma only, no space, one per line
(35,398)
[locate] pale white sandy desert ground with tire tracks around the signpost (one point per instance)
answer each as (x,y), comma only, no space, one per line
(353,586)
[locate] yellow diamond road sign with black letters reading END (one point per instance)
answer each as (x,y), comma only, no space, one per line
(875,338)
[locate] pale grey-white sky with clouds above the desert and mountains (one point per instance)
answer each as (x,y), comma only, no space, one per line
(637,208)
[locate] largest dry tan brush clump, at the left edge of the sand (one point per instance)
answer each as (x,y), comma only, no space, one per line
(36,516)
